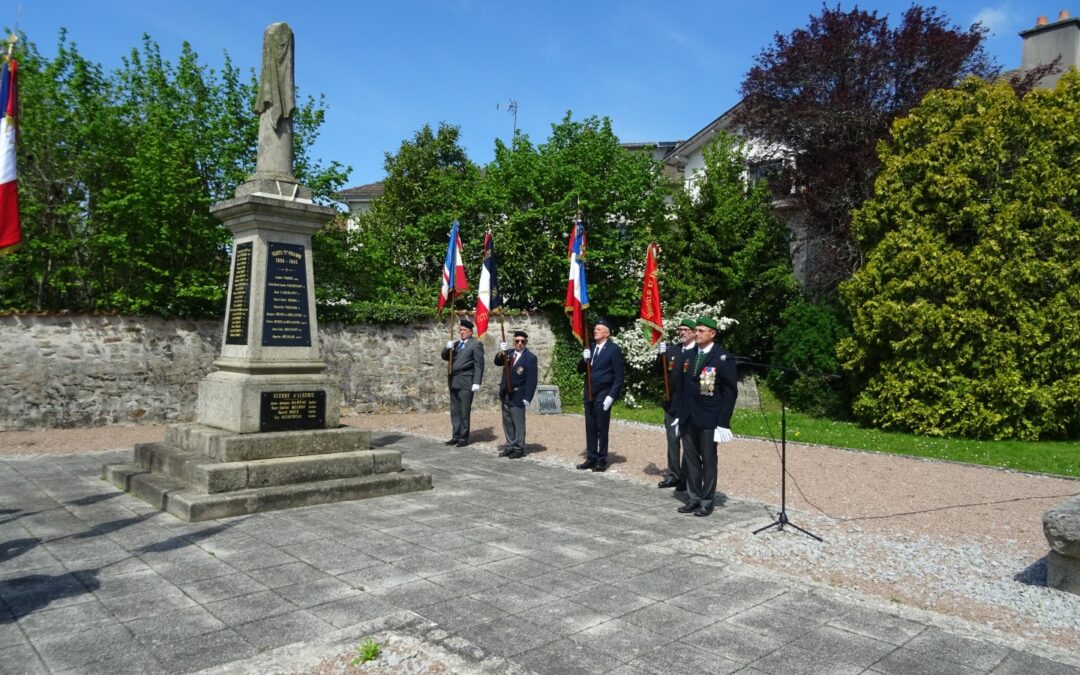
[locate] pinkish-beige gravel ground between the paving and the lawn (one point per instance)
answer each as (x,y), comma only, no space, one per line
(955,539)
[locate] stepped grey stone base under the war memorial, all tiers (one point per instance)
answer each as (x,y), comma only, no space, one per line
(201,474)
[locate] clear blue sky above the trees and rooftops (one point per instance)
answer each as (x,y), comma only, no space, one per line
(660,70)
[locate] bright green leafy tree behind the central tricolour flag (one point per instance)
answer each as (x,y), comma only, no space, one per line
(531,196)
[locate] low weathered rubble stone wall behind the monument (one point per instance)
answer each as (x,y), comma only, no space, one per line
(82,371)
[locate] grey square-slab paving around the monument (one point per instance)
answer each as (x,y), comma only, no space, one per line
(505,568)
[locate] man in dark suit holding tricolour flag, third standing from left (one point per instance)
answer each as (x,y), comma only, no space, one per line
(606,380)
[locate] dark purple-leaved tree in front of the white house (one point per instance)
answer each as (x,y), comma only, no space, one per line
(828,93)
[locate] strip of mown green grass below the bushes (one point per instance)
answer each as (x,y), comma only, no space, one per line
(1058,458)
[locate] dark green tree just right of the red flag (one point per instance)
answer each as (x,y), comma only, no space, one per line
(731,247)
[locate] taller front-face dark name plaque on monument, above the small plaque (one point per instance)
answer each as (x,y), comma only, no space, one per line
(286,310)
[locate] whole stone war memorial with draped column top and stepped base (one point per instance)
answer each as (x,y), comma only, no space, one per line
(267,433)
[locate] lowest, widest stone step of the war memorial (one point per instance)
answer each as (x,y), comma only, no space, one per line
(193,506)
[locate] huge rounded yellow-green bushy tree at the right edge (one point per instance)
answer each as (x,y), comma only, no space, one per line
(967,315)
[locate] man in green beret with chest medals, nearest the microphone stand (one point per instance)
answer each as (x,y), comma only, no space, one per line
(705,414)
